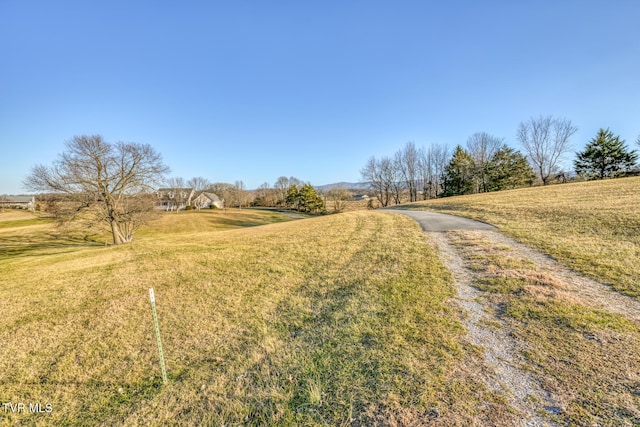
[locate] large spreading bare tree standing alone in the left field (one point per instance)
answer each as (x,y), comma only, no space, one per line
(104,183)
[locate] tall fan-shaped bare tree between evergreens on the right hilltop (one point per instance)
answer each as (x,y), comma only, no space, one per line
(545,140)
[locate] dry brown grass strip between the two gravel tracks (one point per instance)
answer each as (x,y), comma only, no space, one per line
(587,359)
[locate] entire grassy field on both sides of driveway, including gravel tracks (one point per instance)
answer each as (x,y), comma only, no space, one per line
(350,319)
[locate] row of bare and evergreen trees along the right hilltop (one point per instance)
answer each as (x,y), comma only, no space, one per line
(487,163)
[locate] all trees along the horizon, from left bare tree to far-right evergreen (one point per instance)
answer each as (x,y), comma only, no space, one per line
(113,184)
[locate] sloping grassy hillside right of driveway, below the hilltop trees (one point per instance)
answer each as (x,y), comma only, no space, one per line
(593,227)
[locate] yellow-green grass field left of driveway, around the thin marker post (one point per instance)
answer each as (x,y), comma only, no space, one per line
(339,320)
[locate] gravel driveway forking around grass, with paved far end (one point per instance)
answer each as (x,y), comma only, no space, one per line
(502,351)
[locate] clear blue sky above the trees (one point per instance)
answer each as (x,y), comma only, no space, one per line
(252,90)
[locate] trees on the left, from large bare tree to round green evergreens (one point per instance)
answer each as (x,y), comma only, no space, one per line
(96,183)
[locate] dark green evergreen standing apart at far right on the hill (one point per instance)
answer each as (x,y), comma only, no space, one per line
(605,156)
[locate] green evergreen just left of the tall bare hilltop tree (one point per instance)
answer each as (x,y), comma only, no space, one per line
(508,169)
